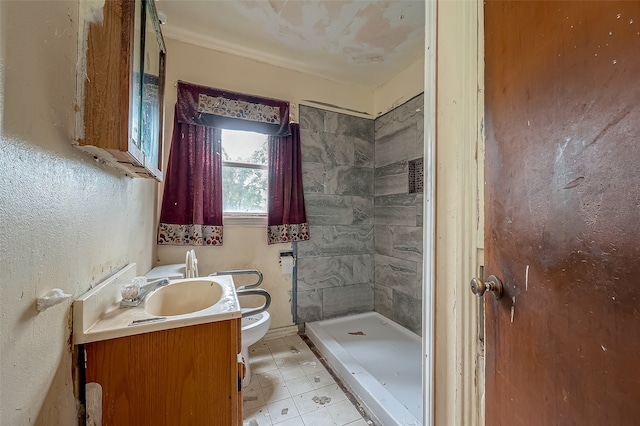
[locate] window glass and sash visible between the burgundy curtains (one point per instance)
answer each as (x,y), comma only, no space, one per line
(244,173)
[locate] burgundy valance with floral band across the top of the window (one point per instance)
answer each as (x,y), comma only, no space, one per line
(206,106)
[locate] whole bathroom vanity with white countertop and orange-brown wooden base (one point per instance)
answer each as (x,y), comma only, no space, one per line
(163,366)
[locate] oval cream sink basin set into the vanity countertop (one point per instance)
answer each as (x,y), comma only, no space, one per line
(183,297)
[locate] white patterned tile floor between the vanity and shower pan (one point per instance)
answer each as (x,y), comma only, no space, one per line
(291,387)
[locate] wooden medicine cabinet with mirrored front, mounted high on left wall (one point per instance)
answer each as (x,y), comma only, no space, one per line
(123,94)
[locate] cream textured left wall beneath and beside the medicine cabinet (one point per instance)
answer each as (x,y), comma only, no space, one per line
(66,220)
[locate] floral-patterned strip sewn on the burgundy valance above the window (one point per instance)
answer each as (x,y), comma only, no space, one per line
(238,109)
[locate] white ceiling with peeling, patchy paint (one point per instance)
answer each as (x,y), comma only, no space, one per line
(359,42)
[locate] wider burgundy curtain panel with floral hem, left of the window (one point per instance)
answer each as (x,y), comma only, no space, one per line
(192,202)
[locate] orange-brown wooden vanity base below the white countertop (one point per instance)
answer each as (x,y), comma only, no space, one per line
(181,376)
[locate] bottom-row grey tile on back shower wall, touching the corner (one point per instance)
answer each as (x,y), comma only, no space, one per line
(347,300)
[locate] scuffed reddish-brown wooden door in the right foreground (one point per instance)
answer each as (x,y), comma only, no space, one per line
(562,212)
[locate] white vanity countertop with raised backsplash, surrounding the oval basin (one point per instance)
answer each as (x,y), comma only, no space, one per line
(97,314)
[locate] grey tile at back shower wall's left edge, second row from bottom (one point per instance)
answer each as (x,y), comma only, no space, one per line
(323,272)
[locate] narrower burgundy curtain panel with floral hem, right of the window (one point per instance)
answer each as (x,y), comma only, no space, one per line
(287,218)
